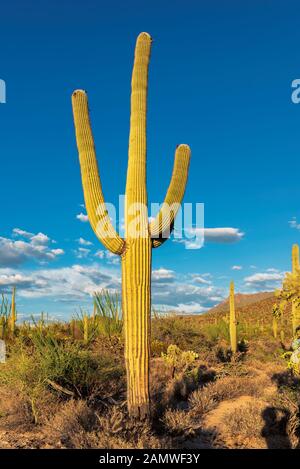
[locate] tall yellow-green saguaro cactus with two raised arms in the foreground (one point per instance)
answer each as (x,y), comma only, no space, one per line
(136,249)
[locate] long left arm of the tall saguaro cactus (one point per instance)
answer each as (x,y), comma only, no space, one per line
(91,183)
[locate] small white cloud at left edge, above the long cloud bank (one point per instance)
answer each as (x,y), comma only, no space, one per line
(14,252)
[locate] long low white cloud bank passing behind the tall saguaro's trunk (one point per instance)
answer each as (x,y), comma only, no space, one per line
(75,284)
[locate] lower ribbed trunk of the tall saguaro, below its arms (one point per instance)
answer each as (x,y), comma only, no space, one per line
(136,304)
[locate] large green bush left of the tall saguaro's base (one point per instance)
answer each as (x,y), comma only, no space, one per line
(61,367)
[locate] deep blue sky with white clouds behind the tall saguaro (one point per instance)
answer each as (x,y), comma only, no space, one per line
(220,80)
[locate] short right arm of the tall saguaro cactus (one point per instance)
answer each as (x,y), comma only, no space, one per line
(162,225)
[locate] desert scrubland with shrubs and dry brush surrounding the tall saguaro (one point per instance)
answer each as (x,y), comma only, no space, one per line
(63,385)
